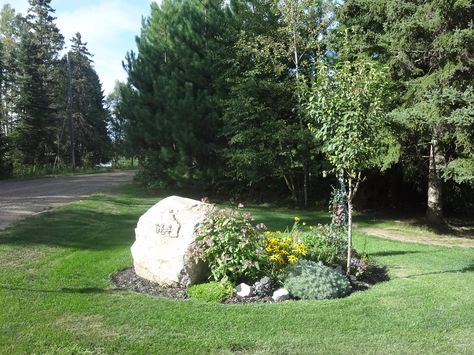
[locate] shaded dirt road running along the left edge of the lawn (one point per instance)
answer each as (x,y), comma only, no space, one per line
(20,199)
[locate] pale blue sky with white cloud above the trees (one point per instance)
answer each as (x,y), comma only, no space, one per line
(108,27)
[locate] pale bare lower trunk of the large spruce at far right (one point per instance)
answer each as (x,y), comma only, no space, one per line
(434,211)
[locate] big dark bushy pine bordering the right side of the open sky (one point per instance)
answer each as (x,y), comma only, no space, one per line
(171,100)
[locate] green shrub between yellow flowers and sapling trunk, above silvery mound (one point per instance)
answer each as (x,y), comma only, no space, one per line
(327,244)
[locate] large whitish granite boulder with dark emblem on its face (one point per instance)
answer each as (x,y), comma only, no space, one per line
(165,237)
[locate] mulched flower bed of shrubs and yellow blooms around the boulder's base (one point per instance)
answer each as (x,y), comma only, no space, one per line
(306,260)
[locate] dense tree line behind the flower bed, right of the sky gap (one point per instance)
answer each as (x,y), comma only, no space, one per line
(218,94)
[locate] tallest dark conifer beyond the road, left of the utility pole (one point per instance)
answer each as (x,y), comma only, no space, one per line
(37,105)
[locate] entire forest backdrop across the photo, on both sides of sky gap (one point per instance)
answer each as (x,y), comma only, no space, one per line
(220,95)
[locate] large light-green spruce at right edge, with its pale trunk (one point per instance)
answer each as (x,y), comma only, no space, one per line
(429,47)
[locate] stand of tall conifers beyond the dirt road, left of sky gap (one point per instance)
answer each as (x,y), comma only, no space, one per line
(34,131)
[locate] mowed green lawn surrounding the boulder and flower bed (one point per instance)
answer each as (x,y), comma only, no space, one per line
(56,296)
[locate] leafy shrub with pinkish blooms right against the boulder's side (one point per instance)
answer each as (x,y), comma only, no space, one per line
(231,246)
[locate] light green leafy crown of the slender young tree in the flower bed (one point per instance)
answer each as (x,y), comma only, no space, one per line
(347,107)
